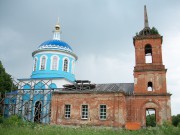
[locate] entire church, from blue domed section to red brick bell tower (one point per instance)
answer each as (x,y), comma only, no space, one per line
(53,95)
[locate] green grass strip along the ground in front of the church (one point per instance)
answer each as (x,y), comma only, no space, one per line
(15,126)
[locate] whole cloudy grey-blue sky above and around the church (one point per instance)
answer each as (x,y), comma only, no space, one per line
(99,31)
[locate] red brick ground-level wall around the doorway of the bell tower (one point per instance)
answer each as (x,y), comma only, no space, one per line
(137,105)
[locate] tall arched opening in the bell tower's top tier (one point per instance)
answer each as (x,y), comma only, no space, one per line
(148,54)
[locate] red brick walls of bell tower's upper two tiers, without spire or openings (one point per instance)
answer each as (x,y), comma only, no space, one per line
(154,72)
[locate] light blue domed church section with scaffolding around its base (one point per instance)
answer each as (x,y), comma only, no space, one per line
(53,66)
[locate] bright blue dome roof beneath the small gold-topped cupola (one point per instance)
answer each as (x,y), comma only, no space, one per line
(55,45)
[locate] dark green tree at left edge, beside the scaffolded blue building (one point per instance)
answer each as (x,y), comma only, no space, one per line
(6,84)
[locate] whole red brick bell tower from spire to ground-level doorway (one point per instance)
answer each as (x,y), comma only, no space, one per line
(150,93)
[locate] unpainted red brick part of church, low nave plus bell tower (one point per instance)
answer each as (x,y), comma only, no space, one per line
(118,104)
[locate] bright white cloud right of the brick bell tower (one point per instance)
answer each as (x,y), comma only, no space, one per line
(171,57)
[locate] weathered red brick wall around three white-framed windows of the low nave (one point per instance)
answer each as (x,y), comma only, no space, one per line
(115,102)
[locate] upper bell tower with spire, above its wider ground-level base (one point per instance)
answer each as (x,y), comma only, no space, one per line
(149,71)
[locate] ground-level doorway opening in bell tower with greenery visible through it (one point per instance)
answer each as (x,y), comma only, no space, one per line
(150,117)
